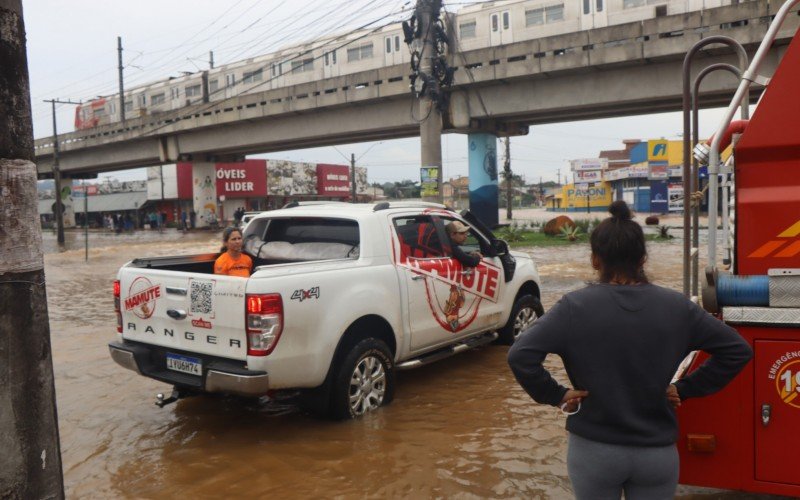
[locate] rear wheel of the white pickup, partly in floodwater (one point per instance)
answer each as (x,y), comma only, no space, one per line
(364,381)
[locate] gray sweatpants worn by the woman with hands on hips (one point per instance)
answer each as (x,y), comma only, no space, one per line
(603,471)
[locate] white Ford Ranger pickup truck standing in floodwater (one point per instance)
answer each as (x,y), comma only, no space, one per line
(341,296)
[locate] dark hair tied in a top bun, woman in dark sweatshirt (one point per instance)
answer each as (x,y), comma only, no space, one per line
(618,242)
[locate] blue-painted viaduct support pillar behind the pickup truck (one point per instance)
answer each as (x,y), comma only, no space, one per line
(483,188)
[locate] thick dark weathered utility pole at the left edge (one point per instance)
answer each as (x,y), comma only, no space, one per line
(30,463)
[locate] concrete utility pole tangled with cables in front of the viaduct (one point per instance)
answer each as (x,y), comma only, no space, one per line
(430,127)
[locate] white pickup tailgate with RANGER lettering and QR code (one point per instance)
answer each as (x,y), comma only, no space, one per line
(184,311)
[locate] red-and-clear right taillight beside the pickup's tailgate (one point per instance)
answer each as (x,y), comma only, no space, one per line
(264,321)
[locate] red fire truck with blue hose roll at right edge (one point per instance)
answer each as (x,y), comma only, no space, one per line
(747,437)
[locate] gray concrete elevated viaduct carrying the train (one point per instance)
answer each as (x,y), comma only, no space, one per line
(615,71)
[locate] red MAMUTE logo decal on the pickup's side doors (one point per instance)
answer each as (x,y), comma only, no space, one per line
(454,292)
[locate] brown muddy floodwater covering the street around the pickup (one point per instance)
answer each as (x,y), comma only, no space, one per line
(458,428)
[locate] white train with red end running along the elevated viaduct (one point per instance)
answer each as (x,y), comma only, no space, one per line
(476,26)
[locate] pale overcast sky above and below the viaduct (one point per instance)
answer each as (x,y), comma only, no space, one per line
(72,55)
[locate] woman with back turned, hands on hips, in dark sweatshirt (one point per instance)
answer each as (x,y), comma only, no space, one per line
(621,340)
